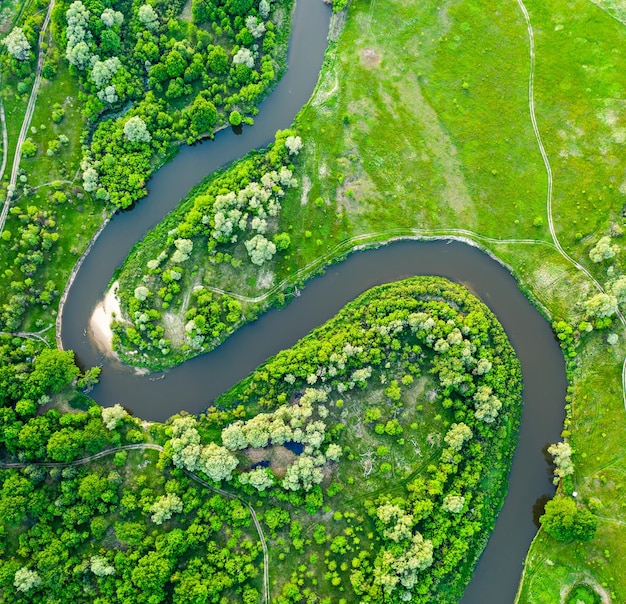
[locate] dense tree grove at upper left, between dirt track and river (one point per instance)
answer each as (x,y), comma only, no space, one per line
(110,56)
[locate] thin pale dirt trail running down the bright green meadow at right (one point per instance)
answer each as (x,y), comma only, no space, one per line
(546,162)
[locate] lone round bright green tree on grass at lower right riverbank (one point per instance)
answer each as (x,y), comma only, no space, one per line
(566,521)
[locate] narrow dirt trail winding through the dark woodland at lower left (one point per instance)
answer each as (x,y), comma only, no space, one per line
(140,447)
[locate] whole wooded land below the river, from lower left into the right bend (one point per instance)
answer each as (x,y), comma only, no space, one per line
(407,402)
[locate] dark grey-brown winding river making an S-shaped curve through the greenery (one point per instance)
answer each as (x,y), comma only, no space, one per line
(193,385)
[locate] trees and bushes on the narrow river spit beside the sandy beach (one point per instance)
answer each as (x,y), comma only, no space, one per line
(231,215)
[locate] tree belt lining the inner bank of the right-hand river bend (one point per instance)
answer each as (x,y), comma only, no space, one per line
(428,536)
